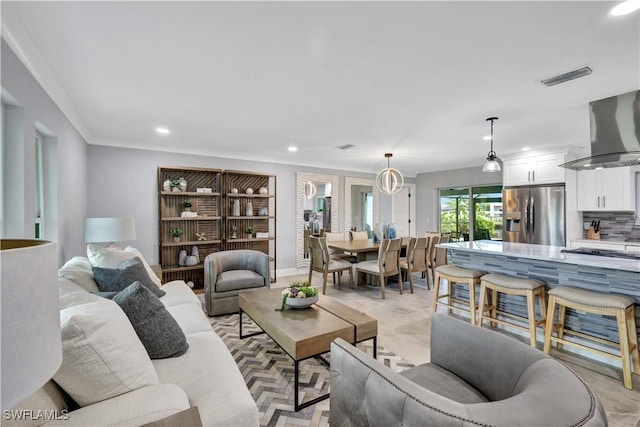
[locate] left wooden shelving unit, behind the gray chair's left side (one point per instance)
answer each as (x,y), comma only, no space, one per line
(207,223)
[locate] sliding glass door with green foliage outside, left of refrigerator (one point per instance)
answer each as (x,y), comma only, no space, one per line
(463,208)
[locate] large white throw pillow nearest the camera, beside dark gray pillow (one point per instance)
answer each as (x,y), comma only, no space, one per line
(102,356)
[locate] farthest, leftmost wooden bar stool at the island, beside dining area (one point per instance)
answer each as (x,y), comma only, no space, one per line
(453,274)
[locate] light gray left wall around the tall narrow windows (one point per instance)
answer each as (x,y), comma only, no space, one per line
(19,186)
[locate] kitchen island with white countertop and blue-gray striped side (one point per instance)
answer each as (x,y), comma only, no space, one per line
(549,264)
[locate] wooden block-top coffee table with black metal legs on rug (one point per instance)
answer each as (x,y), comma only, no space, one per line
(306,333)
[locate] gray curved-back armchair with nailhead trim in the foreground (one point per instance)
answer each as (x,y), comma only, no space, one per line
(476,377)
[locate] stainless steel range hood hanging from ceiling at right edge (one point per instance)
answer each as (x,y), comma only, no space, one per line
(615,133)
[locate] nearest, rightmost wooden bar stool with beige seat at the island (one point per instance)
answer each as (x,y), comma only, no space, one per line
(619,306)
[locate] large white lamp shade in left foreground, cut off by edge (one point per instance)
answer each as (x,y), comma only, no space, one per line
(31,341)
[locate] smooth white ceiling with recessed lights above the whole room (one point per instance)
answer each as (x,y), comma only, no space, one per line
(248,79)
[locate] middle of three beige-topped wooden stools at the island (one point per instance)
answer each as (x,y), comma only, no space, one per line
(509,285)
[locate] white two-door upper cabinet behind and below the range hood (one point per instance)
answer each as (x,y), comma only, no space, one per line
(610,189)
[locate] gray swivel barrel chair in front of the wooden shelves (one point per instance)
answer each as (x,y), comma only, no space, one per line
(228,273)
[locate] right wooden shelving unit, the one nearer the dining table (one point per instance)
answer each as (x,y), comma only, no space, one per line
(241,181)
